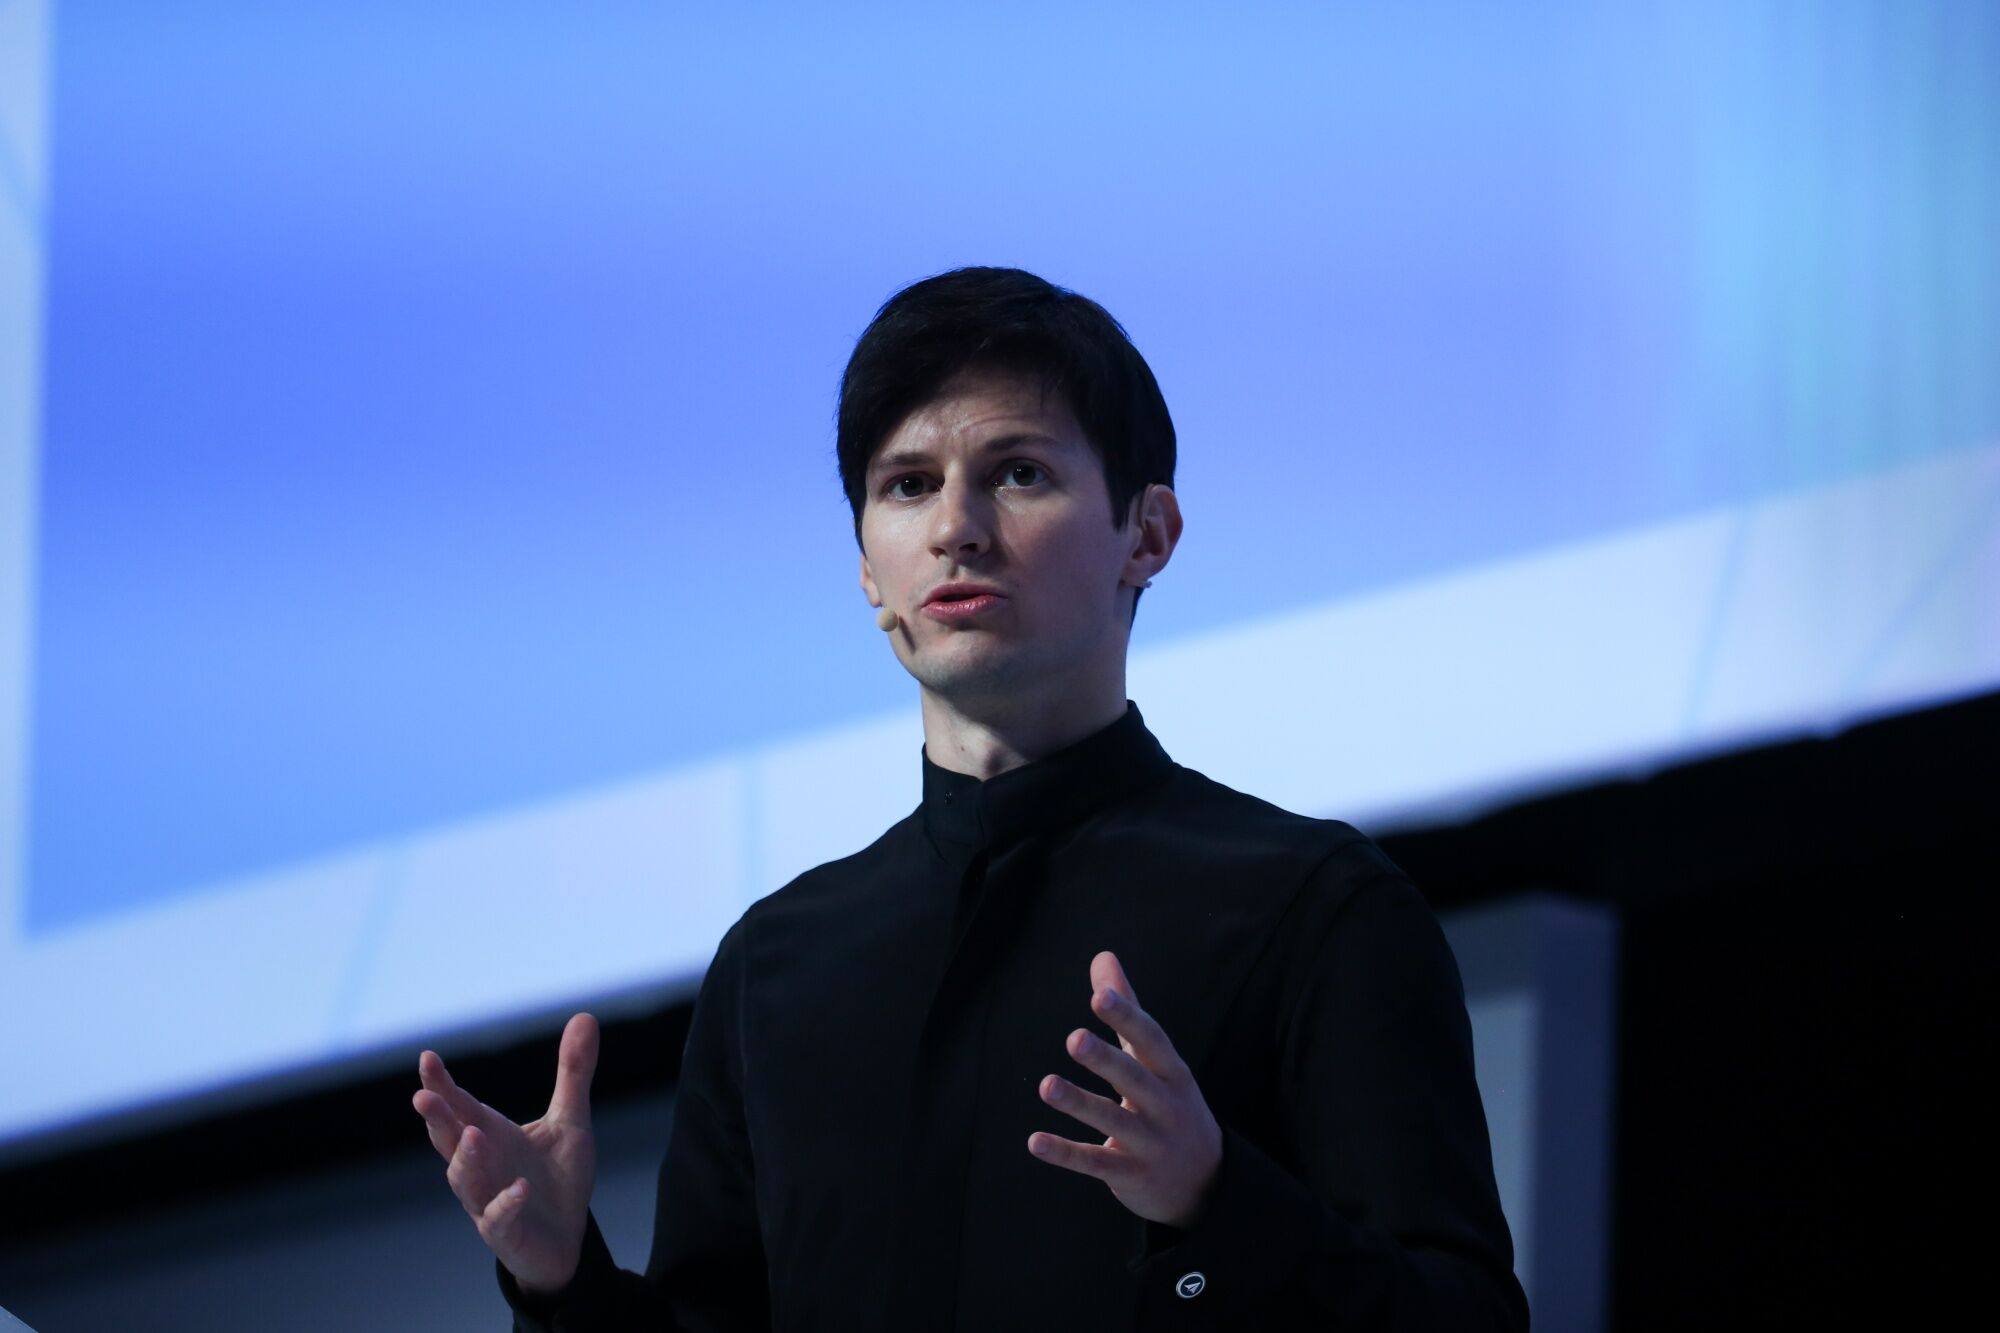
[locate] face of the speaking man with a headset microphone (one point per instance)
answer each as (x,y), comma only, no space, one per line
(995,483)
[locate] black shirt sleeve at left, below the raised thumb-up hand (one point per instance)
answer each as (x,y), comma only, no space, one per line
(707,1266)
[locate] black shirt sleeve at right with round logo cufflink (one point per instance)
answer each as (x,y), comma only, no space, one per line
(1389,1216)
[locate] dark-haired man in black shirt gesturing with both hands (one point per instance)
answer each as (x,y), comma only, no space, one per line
(1083,1042)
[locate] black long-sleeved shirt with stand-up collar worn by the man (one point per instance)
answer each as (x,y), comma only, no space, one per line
(861,1080)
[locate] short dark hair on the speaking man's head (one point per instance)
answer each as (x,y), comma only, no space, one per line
(1015,321)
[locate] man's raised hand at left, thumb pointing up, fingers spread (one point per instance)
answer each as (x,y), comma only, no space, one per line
(525,1186)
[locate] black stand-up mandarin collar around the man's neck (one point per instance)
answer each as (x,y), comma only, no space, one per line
(1045,794)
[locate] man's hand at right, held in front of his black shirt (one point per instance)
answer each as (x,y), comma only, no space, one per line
(1163,1146)
